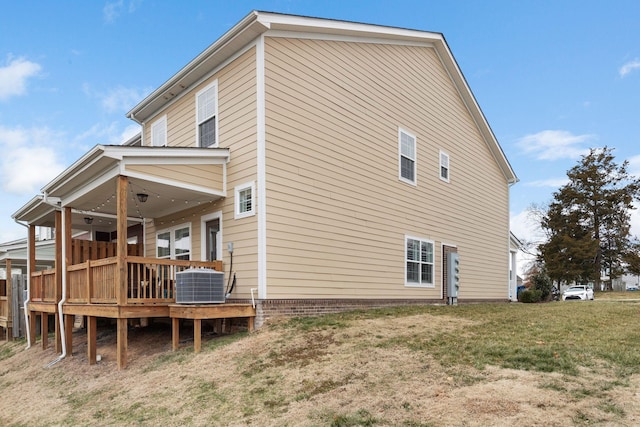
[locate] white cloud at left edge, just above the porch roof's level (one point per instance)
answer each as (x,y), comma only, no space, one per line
(30,160)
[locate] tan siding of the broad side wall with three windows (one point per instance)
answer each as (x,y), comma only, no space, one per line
(337,211)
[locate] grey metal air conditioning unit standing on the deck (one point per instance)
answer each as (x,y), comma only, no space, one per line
(199,286)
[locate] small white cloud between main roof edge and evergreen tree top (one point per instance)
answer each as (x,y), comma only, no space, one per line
(554,144)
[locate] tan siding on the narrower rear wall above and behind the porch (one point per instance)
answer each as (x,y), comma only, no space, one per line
(236,131)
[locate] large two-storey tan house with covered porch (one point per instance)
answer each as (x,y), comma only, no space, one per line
(323,165)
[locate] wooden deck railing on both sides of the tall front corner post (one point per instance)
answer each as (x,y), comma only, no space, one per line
(149,280)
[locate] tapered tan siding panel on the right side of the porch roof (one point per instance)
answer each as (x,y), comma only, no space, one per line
(207,176)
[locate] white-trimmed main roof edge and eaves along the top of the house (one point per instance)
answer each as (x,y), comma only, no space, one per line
(257,23)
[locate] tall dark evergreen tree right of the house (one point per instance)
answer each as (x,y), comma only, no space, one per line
(588,222)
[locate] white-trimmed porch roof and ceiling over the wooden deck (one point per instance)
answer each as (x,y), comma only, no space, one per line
(164,174)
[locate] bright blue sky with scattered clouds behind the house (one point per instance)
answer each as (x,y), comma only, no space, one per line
(553,78)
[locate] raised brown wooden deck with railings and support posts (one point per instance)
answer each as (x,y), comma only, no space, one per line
(93,291)
